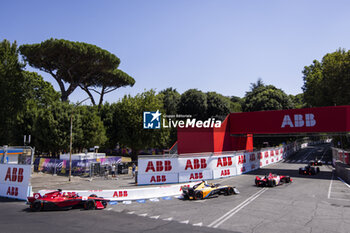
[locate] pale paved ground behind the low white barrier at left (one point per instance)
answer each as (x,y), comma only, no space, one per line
(41,181)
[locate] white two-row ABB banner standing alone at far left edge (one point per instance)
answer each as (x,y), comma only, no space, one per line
(14,180)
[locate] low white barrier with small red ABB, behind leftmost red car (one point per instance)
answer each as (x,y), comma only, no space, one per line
(130,194)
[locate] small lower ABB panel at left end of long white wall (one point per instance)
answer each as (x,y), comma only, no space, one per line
(158,178)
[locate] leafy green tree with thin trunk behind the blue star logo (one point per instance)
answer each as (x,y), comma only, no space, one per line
(128,120)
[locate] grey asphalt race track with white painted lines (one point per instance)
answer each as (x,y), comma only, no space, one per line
(319,203)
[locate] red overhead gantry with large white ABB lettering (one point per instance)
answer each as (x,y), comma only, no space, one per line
(237,130)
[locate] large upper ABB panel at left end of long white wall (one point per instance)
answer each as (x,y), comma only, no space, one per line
(150,166)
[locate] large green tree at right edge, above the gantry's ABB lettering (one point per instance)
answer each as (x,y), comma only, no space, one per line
(327,83)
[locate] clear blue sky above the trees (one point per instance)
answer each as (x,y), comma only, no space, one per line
(219,45)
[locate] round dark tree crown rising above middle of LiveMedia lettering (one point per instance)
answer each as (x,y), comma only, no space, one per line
(194,103)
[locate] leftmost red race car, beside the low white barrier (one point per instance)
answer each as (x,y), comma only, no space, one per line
(60,200)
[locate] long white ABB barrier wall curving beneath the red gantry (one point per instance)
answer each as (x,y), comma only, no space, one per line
(186,169)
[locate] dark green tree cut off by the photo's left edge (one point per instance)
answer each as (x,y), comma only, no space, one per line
(11,86)
